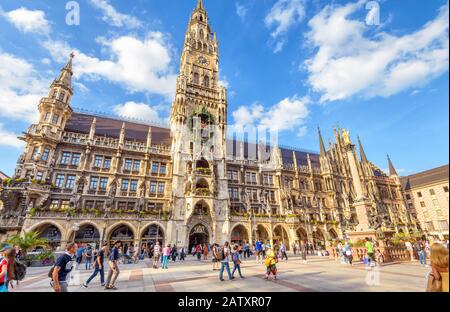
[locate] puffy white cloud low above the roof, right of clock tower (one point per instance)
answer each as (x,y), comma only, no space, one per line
(288,114)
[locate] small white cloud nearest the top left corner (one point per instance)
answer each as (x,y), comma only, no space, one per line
(28,21)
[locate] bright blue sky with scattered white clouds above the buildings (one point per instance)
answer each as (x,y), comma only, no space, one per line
(297,64)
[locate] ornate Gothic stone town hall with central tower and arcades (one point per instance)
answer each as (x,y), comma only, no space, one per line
(93,178)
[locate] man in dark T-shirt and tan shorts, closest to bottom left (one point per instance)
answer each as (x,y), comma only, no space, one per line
(60,273)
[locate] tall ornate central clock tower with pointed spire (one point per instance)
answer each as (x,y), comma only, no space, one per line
(199,202)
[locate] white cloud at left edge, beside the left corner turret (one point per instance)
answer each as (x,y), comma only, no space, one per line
(21,88)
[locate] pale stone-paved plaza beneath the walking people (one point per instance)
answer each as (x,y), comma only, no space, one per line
(320,274)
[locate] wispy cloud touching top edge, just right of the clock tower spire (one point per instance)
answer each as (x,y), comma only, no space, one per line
(283,15)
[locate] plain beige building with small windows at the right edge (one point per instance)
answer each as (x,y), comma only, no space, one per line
(426,197)
